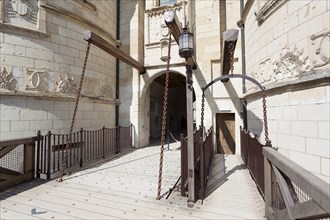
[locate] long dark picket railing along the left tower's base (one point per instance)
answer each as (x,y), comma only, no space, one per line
(86,146)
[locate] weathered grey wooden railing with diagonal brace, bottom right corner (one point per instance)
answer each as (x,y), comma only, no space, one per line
(291,192)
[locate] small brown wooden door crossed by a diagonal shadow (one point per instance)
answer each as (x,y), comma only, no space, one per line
(225,125)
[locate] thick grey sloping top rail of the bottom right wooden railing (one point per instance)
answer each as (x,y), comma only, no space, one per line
(311,184)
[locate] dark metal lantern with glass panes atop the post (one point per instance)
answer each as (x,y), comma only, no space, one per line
(186,44)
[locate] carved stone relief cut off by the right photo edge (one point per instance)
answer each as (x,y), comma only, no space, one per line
(321,45)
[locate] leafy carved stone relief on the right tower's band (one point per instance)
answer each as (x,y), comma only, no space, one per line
(290,63)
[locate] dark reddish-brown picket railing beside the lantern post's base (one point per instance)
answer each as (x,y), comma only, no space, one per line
(203,153)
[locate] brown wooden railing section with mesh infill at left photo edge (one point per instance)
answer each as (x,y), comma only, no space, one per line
(16,161)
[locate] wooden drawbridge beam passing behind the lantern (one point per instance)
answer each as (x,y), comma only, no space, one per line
(173,23)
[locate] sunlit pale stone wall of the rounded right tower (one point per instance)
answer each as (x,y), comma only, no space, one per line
(291,59)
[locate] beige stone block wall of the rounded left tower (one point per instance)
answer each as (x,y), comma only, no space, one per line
(41,66)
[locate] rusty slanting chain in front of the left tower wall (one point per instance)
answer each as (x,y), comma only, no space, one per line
(74,114)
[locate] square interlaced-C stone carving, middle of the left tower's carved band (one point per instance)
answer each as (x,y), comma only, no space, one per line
(37,80)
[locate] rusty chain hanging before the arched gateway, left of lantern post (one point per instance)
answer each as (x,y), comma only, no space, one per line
(164,119)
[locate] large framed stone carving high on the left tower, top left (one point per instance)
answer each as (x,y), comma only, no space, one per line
(21,13)
